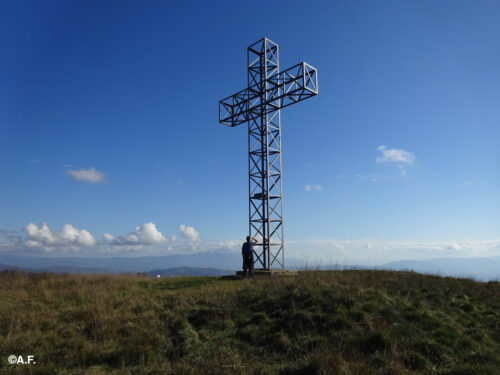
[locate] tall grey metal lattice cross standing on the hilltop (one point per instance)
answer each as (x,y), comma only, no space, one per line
(259,105)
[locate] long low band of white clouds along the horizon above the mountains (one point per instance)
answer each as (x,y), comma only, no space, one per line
(147,239)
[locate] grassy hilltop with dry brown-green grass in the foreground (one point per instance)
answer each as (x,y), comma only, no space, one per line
(332,322)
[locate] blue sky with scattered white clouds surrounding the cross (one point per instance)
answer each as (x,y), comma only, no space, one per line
(131,89)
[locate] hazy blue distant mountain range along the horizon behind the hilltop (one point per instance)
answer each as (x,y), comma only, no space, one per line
(224,263)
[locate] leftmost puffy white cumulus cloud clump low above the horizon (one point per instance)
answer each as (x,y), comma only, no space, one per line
(43,236)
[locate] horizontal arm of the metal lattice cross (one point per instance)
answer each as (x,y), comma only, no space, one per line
(280,90)
